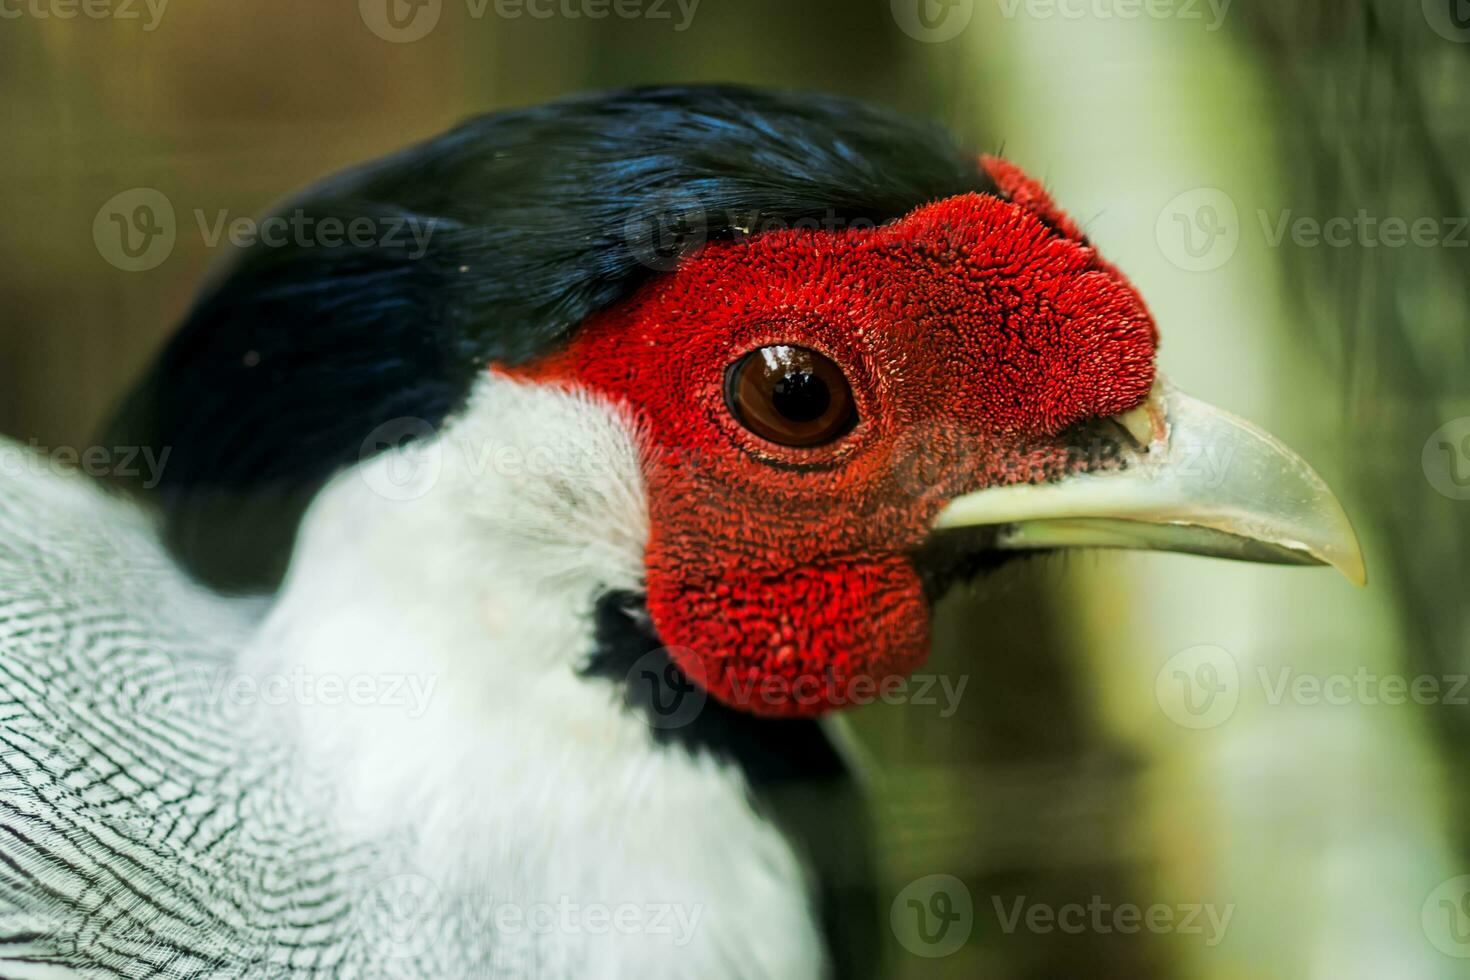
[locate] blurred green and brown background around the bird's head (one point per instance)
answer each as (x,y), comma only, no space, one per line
(1080,768)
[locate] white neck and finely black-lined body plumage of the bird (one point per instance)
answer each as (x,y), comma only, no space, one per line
(395,771)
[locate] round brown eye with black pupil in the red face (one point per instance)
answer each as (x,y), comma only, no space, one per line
(790,396)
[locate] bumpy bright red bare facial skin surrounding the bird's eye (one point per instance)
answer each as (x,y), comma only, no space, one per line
(972,333)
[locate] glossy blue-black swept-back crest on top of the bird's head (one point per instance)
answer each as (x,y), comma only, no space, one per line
(537,220)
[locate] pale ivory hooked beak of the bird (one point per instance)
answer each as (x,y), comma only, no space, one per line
(1196,480)
